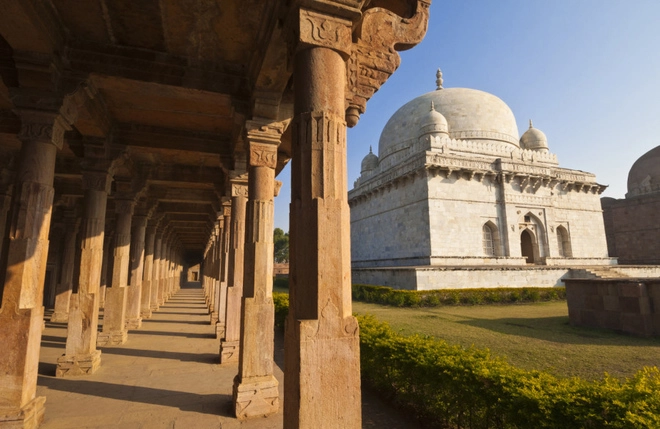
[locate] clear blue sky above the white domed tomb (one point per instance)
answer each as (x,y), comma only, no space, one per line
(587,72)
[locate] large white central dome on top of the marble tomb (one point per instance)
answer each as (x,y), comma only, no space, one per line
(471,115)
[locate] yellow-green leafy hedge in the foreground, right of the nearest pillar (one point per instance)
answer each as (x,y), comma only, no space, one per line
(452,387)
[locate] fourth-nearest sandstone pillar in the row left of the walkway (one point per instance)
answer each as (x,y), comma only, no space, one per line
(134,298)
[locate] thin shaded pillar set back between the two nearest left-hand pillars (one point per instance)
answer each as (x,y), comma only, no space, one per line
(63,292)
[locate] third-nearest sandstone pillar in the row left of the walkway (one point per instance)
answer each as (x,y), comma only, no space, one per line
(114,314)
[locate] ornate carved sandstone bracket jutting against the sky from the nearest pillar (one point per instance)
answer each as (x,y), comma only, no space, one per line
(373,58)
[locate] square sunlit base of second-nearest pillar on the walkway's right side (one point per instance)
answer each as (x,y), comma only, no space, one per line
(255,397)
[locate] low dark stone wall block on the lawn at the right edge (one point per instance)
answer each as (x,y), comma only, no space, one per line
(623,305)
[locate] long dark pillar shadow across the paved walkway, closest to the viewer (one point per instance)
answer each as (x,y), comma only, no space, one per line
(215,404)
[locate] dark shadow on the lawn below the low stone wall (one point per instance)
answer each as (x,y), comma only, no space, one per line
(558,330)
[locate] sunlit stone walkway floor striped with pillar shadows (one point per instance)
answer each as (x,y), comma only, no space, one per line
(166,376)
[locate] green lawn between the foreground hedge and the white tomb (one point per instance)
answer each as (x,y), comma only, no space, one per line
(530,336)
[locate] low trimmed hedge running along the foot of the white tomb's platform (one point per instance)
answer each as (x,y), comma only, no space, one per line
(434,298)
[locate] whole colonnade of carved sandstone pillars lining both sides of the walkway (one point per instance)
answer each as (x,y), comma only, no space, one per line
(340,55)
